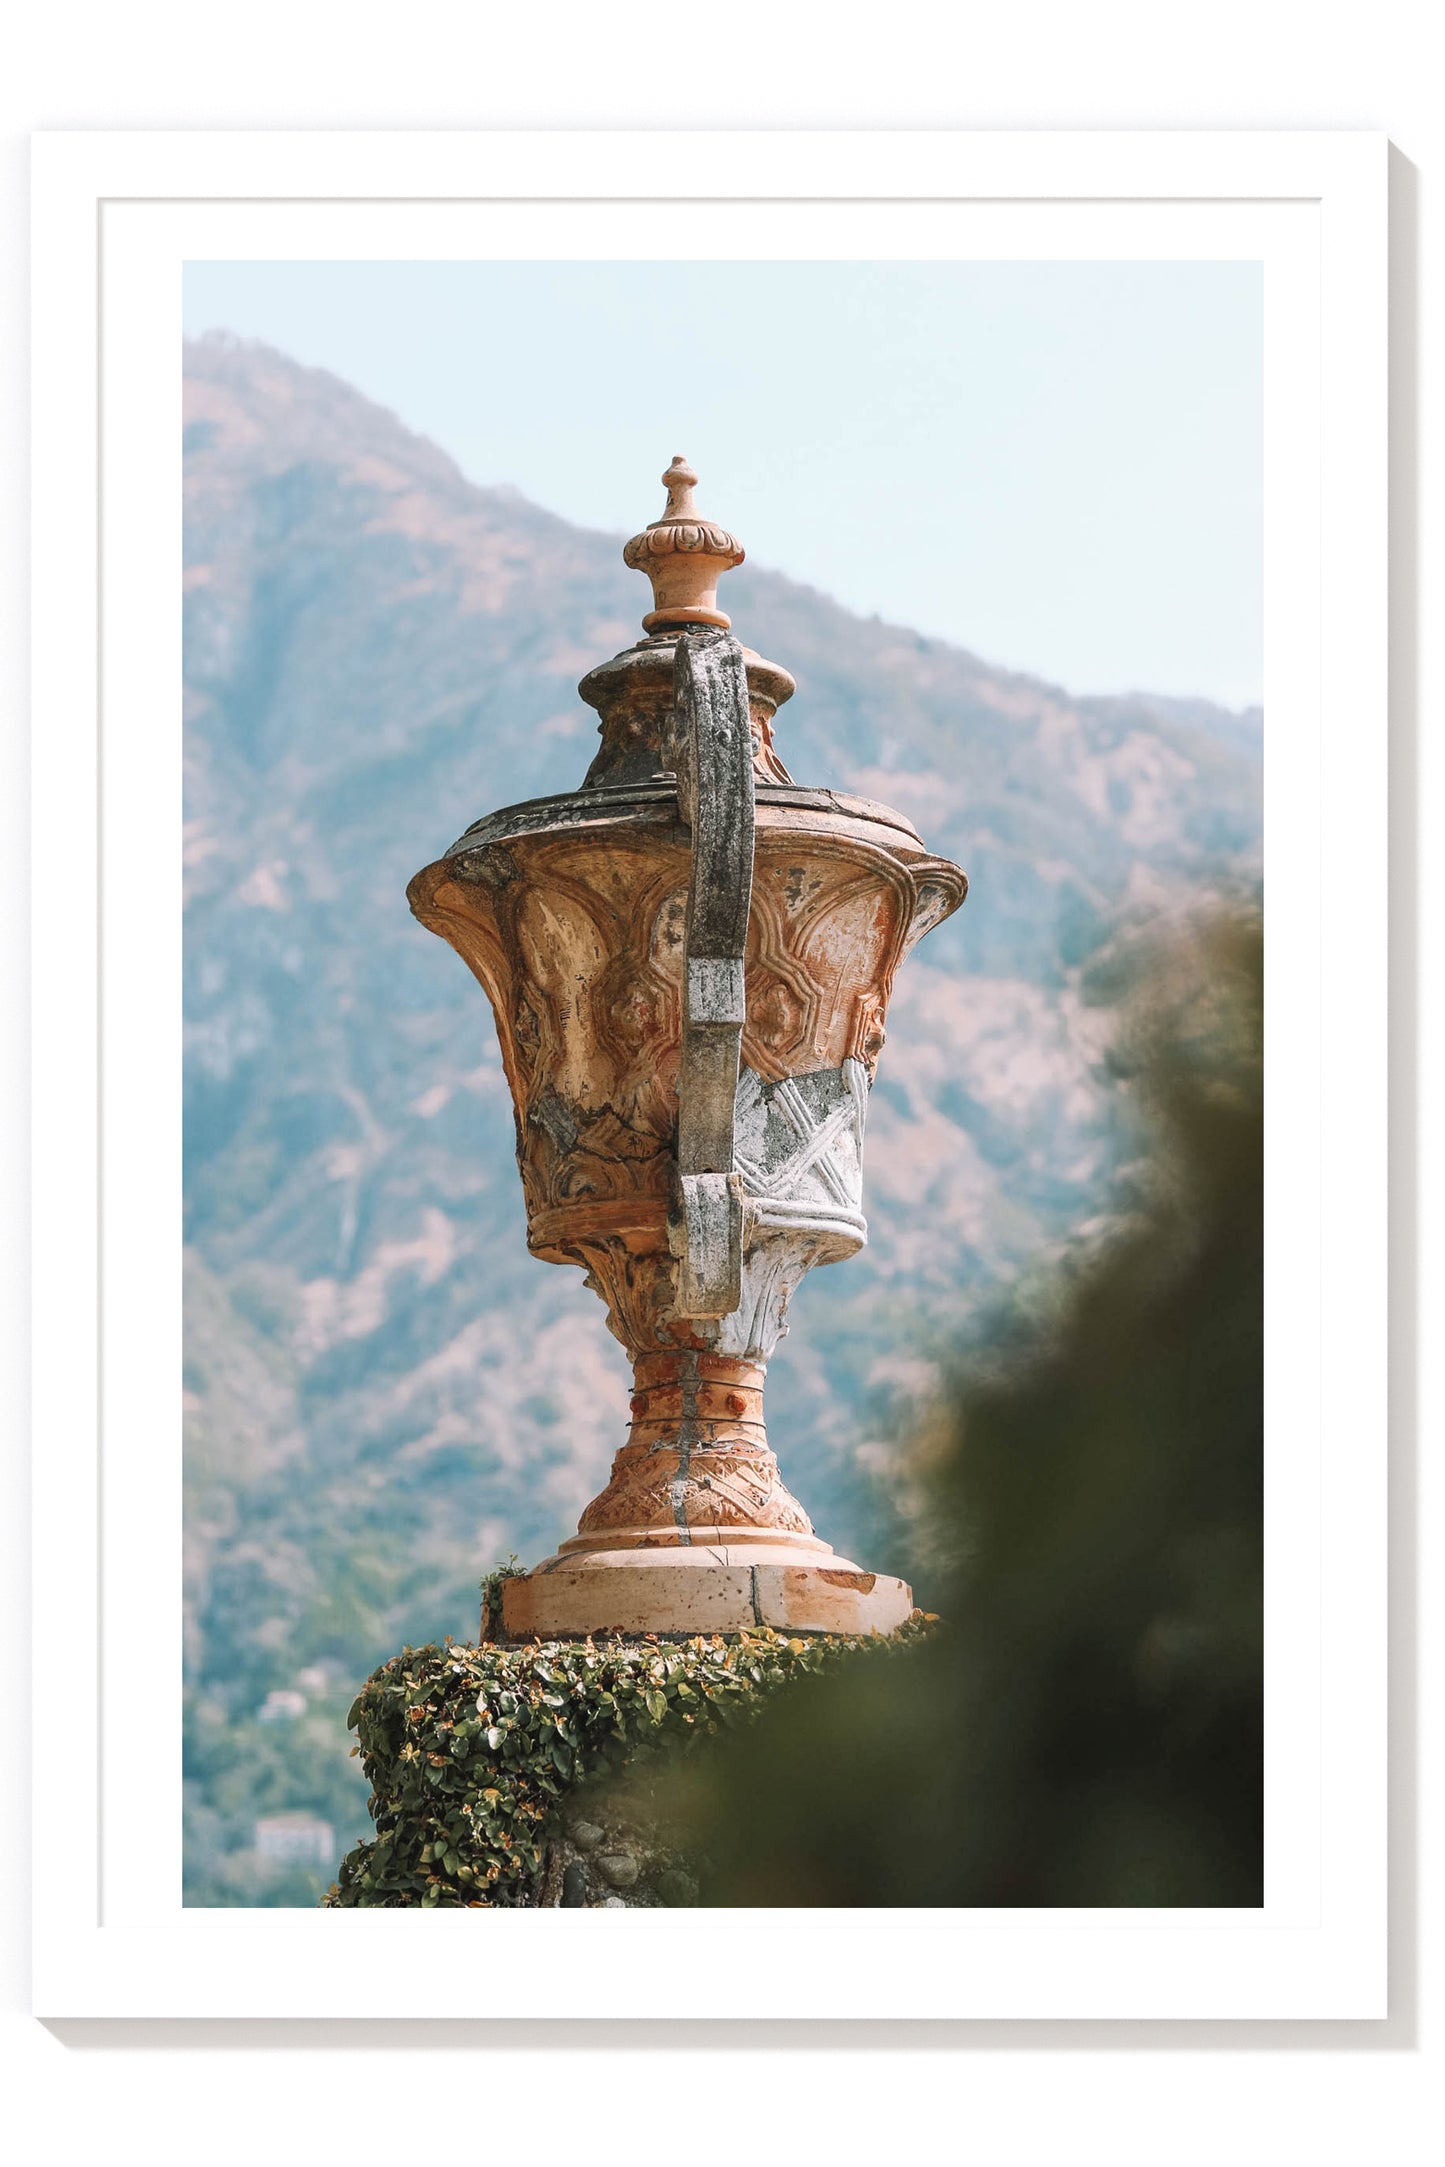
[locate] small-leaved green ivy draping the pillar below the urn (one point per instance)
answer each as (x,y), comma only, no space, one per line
(473,1750)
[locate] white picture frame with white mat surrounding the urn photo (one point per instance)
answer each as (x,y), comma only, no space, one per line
(116,216)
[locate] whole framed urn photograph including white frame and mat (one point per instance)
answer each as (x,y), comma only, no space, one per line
(335,445)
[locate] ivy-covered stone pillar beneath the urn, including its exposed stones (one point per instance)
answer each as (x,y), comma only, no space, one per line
(534,1776)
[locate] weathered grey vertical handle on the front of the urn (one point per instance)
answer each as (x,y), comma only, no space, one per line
(712,753)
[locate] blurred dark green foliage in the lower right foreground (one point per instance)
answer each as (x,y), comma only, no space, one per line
(1089,1726)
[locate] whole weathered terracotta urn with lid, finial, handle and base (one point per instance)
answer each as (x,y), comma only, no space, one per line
(690,965)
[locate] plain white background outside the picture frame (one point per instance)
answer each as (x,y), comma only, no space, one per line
(1333,2092)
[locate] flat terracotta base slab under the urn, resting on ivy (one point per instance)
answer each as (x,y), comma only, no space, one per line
(690,1592)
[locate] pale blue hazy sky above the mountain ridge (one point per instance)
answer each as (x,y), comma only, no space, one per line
(1052,465)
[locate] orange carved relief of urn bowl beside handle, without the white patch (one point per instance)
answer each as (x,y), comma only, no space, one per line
(577,942)
